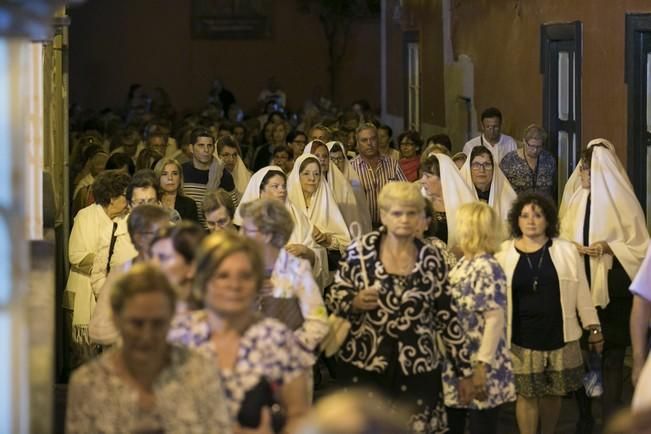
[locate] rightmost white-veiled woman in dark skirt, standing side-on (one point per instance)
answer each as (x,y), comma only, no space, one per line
(609,230)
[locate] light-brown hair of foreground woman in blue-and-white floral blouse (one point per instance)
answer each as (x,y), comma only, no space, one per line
(214,249)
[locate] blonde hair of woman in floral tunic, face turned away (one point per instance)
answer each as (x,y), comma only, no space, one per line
(479,229)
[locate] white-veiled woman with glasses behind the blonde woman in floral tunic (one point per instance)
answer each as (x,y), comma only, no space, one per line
(487,181)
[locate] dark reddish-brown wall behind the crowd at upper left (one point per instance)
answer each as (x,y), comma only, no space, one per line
(114,43)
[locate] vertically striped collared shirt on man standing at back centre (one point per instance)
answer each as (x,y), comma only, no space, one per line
(374,179)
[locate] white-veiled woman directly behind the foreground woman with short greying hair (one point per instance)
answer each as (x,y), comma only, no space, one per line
(271,182)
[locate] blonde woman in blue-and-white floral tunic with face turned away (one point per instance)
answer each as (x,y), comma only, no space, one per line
(478,287)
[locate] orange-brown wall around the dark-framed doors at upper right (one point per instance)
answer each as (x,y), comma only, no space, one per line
(503,40)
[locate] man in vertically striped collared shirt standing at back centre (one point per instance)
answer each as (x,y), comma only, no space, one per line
(374,169)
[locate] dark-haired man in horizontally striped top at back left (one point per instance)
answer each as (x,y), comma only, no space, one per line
(204,173)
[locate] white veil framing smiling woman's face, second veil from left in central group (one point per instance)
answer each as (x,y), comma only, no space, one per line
(323,211)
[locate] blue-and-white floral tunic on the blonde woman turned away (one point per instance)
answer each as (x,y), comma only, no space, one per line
(478,285)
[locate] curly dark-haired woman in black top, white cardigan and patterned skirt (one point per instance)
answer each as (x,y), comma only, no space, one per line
(547,289)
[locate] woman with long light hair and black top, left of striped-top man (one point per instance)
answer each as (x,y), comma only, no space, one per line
(170,174)
